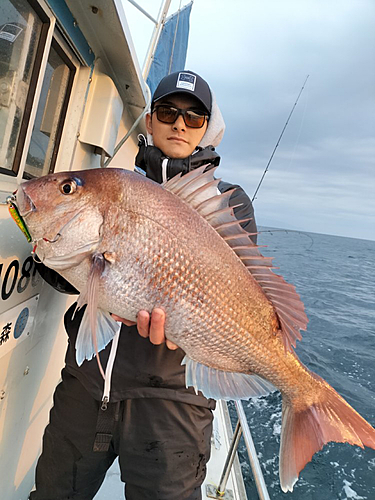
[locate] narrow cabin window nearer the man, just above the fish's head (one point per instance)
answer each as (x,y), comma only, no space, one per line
(50,114)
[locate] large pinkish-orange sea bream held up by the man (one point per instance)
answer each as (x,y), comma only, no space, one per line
(127,243)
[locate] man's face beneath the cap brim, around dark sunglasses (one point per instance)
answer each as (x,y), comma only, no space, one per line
(176,140)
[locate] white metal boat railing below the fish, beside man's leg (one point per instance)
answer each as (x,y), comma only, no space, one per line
(242,428)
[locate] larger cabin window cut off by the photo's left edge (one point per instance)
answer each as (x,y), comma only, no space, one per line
(21,31)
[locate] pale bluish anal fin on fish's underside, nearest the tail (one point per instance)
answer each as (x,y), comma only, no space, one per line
(219,384)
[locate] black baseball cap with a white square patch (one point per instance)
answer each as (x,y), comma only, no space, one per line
(184,82)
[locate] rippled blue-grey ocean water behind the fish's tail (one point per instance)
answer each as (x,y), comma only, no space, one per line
(335,278)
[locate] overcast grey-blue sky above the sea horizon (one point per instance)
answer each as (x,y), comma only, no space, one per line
(256,54)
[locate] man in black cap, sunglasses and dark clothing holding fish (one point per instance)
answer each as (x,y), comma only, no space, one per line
(159,429)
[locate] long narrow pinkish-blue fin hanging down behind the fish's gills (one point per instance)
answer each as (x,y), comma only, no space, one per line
(97,327)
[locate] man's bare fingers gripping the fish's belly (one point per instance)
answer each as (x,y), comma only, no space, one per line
(153,327)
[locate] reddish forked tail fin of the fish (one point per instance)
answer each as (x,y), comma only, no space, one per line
(306,431)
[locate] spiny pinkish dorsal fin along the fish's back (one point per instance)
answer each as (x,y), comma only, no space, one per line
(199,189)
